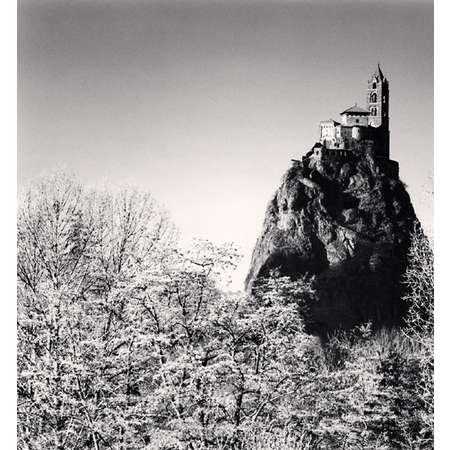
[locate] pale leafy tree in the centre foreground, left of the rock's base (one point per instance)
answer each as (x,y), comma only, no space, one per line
(222,363)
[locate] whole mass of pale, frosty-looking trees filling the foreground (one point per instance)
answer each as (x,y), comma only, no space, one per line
(126,342)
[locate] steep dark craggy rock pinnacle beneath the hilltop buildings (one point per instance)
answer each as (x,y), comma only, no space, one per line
(348,222)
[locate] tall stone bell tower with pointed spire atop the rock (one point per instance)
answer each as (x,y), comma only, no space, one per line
(378,107)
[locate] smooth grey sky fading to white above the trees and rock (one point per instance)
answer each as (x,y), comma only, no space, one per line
(204,103)
